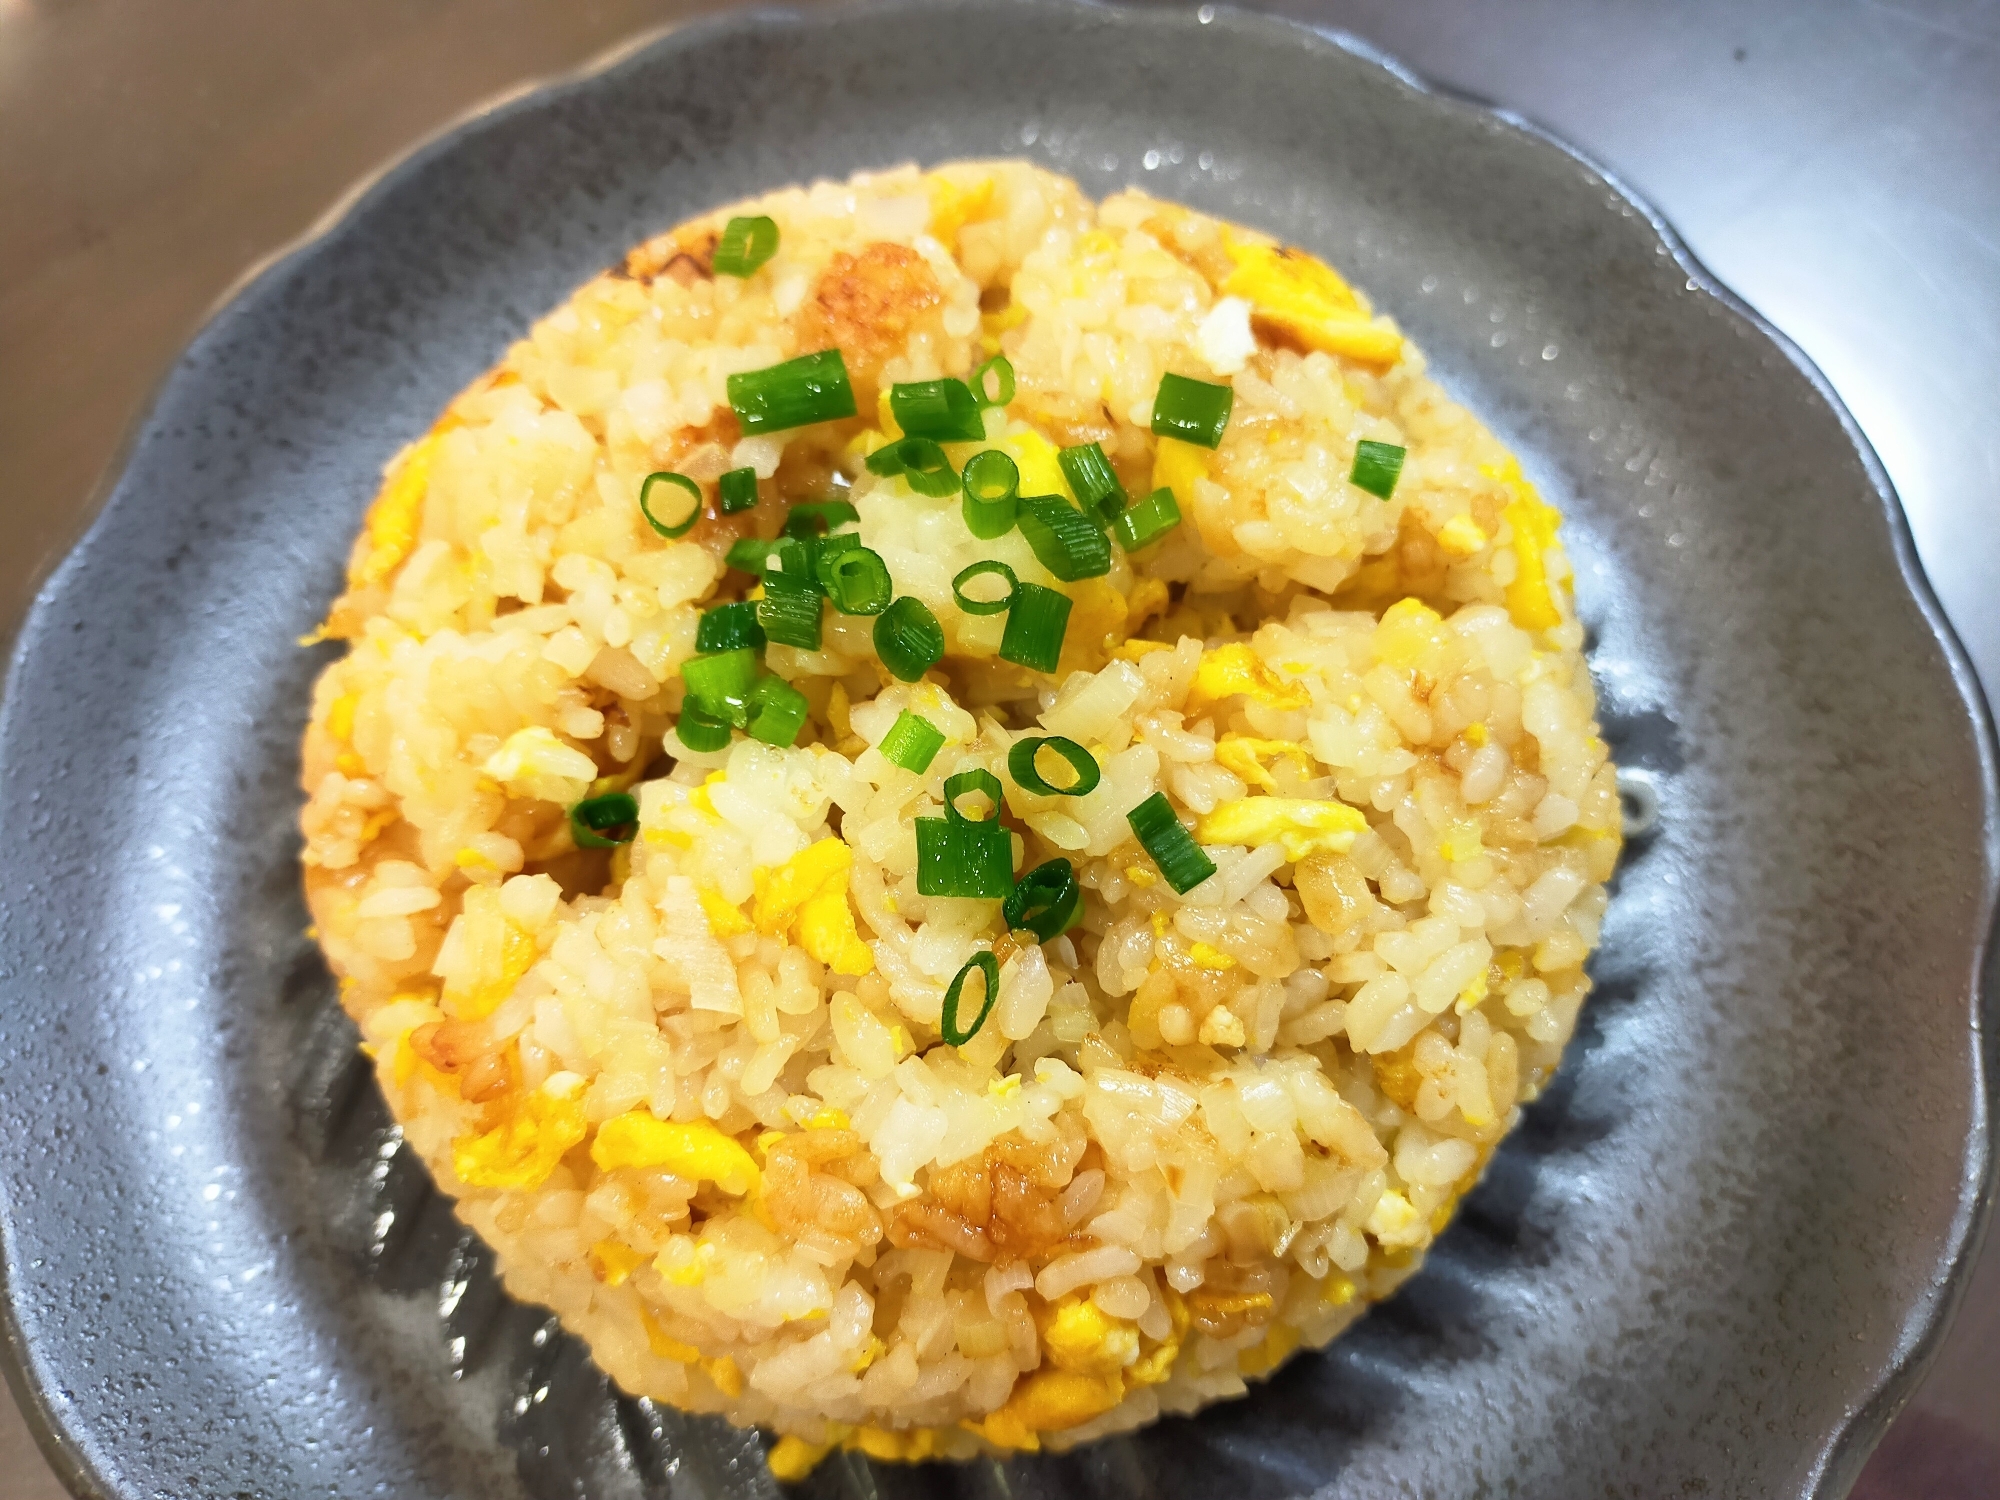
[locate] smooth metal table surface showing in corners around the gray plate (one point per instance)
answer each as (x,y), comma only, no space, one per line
(1833,161)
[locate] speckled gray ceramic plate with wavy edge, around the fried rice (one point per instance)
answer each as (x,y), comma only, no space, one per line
(1705,1265)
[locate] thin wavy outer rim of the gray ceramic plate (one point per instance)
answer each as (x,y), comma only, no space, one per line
(1925,1325)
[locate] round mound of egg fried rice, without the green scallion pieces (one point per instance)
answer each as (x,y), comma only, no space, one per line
(693,1091)
